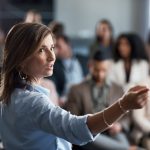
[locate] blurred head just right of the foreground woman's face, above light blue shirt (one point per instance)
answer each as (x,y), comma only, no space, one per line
(63,47)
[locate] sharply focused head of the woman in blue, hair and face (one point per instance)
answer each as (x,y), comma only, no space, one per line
(28,53)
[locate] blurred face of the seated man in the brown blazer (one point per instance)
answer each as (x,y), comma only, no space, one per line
(99,70)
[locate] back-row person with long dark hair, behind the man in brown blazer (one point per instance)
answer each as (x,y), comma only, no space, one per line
(104,37)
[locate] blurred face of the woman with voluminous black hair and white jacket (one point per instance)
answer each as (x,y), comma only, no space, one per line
(124,48)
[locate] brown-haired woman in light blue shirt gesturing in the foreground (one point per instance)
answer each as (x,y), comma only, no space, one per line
(28,119)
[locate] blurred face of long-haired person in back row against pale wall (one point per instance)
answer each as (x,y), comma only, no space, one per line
(104,31)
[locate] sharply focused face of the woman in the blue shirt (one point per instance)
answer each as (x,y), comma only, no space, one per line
(41,63)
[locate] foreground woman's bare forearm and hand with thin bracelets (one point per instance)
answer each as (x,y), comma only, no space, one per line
(135,98)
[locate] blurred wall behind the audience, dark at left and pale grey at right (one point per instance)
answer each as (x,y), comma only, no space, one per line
(81,16)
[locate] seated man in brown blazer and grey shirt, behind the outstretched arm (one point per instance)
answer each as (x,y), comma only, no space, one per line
(95,94)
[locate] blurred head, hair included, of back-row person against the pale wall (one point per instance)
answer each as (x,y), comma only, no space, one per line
(104,31)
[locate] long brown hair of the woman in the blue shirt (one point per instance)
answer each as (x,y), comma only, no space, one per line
(21,42)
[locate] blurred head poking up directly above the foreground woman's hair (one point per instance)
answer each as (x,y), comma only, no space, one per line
(32,16)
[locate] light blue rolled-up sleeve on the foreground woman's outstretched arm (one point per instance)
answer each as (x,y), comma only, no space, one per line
(54,120)
